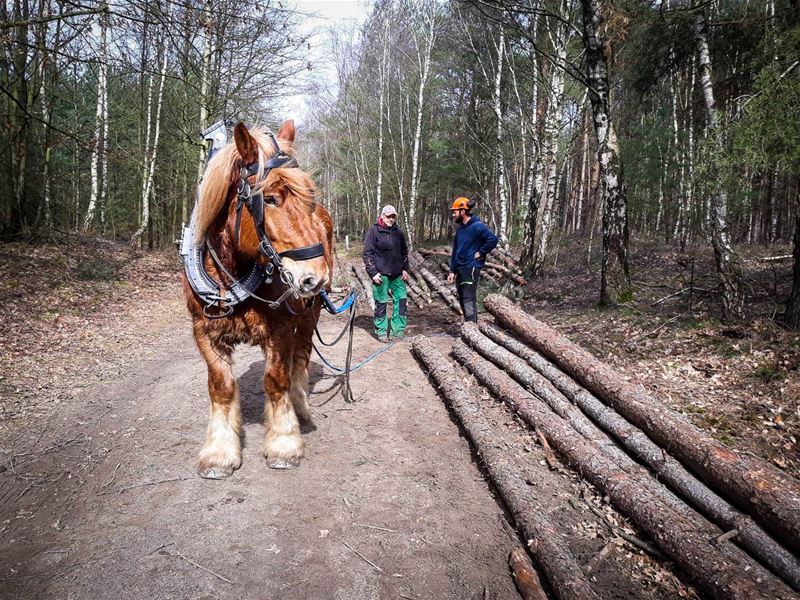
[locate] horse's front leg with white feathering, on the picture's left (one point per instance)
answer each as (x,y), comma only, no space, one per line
(222,452)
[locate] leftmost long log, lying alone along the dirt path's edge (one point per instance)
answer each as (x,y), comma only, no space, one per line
(559,566)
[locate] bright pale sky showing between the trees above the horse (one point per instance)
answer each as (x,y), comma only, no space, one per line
(323,15)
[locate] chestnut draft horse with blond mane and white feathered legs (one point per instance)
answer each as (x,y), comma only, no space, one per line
(292,219)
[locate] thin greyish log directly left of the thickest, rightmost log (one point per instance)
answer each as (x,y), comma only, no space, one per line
(750,535)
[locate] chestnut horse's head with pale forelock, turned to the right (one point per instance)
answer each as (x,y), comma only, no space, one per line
(284,201)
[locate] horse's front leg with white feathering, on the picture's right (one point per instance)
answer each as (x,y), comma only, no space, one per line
(283,446)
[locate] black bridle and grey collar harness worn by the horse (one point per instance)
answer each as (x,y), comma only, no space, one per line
(218,304)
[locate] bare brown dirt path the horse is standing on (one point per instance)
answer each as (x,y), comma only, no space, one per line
(102,500)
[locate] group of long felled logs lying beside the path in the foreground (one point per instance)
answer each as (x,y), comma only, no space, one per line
(721,516)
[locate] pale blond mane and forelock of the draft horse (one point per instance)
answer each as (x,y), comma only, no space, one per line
(222,171)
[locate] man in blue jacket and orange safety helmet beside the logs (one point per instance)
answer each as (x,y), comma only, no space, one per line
(472,243)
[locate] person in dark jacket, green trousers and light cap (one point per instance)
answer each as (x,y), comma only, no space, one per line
(386,260)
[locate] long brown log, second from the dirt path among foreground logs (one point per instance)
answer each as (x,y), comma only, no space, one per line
(723,571)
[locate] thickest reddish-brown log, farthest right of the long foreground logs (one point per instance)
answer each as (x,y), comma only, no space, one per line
(753,485)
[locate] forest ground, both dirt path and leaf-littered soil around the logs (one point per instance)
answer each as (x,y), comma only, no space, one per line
(103,409)
